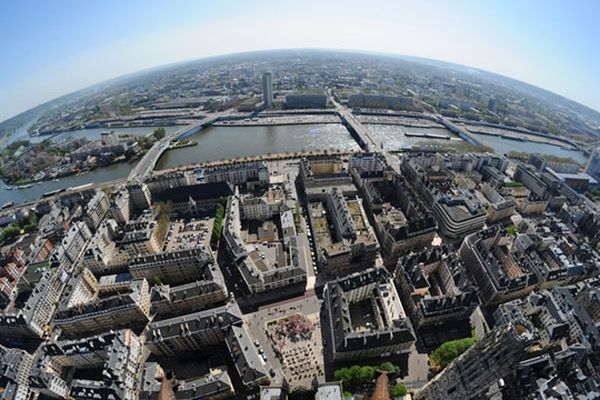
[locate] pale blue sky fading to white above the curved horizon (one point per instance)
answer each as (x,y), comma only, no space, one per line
(51,48)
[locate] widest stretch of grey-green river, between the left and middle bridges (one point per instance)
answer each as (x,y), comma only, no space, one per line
(223,142)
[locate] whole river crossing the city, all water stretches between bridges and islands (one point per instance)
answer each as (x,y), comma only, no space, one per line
(221,142)
